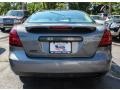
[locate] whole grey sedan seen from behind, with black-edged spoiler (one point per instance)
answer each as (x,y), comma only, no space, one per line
(59,43)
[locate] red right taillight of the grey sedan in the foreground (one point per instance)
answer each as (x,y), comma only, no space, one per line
(106,39)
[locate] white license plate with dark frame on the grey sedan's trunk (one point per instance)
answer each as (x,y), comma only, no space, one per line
(60,47)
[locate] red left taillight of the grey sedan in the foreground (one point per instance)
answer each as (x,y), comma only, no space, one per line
(14,39)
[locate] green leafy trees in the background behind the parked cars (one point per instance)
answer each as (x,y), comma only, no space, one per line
(89,7)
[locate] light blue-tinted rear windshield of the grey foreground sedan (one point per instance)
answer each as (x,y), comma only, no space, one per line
(60,17)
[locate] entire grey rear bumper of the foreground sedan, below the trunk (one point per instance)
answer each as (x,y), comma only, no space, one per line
(23,65)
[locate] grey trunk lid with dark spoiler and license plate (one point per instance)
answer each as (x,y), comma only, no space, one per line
(60,41)
